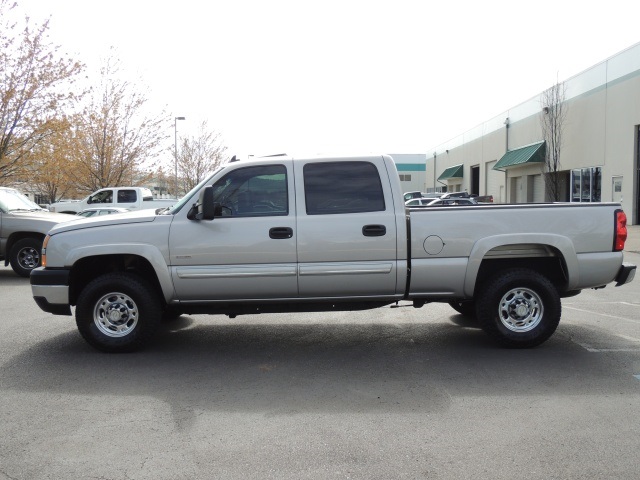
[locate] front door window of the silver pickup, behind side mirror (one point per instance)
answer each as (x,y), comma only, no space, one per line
(253,191)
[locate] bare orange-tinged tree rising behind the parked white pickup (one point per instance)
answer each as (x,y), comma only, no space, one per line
(117,142)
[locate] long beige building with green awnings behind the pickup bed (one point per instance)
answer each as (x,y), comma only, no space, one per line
(599,150)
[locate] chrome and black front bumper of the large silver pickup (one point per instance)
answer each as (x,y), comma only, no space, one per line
(50,289)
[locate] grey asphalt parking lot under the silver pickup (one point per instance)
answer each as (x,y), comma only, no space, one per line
(385,394)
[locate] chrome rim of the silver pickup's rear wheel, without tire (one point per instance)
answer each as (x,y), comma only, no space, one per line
(521,310)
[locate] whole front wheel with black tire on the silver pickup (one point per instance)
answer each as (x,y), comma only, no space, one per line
(118,312)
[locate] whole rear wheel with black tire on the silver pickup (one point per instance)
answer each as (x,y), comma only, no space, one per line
(519,308)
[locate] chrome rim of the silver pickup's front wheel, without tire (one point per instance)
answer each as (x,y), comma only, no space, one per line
(115,314)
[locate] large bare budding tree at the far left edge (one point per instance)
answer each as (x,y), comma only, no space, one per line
(34,86)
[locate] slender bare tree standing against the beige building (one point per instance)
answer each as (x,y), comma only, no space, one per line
(553,117)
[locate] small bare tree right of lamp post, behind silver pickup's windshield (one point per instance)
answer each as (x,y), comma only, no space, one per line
(199,156)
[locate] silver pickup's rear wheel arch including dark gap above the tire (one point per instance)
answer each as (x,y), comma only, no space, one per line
(552,255)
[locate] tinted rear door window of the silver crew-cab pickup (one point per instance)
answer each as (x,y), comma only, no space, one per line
(342,187)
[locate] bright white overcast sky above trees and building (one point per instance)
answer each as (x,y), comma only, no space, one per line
(340,77)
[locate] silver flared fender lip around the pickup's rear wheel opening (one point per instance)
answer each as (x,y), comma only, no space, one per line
(559,242)
